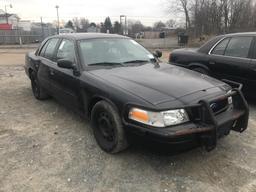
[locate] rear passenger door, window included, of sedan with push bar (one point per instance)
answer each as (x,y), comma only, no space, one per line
(45,56)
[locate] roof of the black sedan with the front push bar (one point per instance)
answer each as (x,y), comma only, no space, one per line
(82,36)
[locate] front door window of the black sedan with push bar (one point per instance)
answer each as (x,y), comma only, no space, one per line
(66,50)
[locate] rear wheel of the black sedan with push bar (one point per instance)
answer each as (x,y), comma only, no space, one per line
(38,92)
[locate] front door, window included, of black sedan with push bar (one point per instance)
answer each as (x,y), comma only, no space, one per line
(65,82)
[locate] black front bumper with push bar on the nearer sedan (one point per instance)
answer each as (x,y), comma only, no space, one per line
(209,128)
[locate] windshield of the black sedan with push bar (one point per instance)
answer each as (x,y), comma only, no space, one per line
(107,51)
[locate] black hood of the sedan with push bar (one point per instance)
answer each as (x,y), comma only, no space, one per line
(158,84)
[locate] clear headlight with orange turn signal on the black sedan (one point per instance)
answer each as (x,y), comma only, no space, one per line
(159,119)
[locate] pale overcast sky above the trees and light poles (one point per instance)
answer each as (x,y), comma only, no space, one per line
(148,11)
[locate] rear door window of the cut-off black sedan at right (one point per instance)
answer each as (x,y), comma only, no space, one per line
(239,47)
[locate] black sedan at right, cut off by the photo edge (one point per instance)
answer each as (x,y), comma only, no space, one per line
(231,56)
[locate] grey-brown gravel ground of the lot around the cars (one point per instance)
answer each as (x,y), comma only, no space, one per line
(44,147)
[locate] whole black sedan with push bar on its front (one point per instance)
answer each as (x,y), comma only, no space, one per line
(122,89)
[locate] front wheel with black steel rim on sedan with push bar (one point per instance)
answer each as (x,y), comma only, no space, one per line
(107,128)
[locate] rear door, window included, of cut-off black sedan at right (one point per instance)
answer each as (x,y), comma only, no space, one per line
(229,59)
